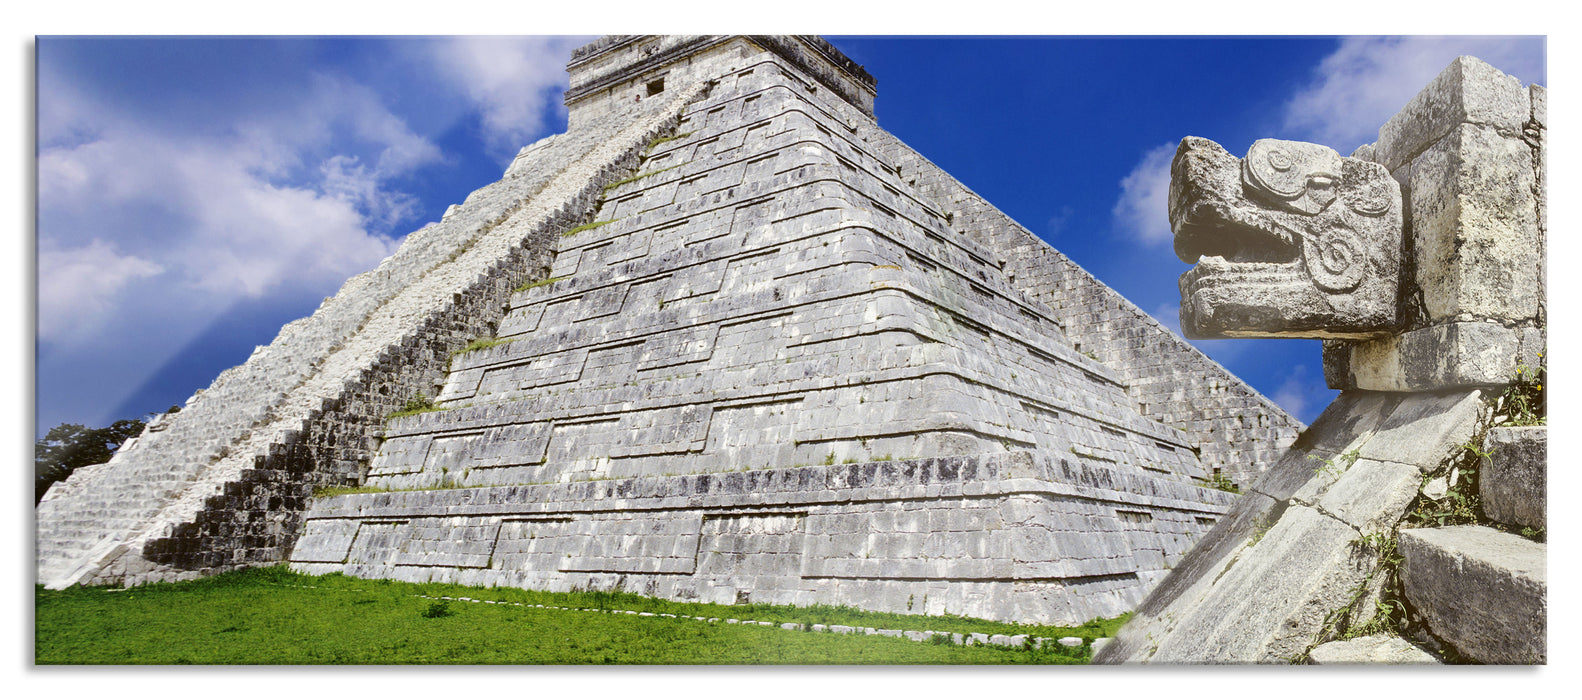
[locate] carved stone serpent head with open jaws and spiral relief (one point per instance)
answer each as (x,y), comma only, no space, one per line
(1292,242)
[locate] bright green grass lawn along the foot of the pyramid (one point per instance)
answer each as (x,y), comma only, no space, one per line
(270,617)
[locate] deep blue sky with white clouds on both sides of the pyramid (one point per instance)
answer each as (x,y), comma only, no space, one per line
(197,194)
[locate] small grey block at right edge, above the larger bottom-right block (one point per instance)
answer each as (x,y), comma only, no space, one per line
(1515,477)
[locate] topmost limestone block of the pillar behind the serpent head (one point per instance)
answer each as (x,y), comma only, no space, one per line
(1469,91)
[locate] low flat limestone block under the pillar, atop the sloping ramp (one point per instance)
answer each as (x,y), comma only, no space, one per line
(1447,356)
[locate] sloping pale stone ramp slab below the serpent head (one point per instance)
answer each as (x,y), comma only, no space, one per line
(1258,588)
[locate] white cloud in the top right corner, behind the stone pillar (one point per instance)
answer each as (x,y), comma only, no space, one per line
(1369,78)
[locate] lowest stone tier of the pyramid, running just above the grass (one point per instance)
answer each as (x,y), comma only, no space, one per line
(1015,536)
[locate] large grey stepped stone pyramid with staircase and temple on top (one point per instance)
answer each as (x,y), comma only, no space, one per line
(755,351)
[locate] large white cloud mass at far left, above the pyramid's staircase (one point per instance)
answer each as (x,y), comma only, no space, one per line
(298,199)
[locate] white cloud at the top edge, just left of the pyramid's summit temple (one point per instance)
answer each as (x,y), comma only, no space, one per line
(510,80)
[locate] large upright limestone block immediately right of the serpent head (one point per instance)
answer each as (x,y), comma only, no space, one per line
(1475,226)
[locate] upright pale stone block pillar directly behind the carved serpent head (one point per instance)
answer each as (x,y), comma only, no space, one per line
(1469,156)
